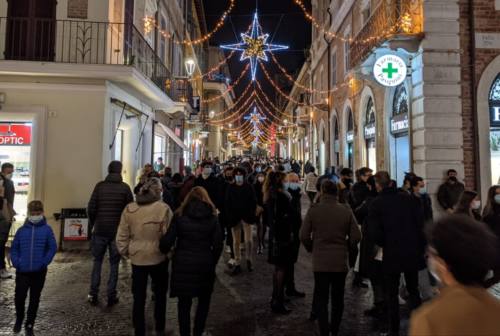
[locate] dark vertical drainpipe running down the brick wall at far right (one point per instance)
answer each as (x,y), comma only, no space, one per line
(472,50)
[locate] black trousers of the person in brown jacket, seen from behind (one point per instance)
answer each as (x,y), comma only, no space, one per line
(329,285)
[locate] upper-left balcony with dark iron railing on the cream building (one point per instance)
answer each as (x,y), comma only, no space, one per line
(82,42)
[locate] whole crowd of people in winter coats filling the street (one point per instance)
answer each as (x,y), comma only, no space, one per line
(174,227)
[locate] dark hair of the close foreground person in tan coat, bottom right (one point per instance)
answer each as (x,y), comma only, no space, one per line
(467,247)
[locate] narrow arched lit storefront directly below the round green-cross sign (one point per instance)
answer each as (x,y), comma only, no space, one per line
(399,139)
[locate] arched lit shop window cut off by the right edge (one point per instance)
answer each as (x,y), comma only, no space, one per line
(494,104)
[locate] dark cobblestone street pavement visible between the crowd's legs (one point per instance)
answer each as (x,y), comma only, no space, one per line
(240,304)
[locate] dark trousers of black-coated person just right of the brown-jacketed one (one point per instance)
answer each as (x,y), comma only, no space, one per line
(391,291)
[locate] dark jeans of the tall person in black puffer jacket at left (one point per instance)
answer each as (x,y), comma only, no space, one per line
(99,245)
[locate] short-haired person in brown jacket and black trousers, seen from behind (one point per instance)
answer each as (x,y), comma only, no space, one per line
(324,233)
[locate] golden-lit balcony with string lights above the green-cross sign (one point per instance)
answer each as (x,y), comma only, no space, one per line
(392,19)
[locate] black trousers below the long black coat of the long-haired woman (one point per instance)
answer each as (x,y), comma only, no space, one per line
(184,313)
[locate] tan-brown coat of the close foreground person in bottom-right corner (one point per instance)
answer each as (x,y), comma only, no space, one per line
(458,311)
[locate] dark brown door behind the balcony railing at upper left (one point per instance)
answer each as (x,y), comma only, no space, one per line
(31,26)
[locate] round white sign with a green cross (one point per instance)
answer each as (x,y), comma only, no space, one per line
(390,70)
